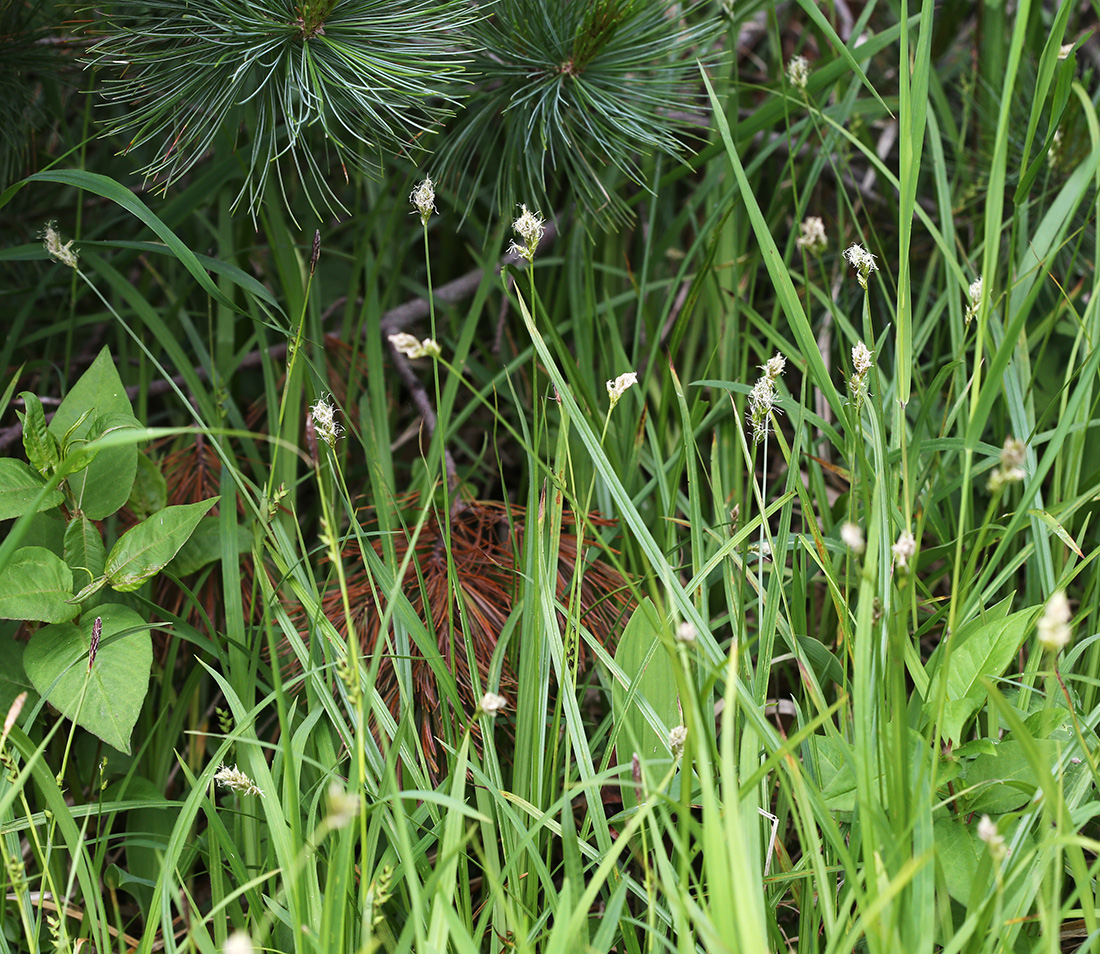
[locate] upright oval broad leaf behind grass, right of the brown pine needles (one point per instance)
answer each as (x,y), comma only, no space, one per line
(645,662)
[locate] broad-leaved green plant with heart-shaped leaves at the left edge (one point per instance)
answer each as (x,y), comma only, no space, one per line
(76,478)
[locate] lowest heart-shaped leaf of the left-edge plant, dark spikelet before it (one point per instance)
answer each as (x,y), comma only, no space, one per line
(57,662)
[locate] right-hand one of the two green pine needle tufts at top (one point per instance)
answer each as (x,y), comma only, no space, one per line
(567,90)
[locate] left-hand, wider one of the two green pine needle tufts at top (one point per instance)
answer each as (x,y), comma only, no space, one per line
(309,90)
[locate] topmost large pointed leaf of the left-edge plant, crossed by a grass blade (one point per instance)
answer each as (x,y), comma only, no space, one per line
(104,487)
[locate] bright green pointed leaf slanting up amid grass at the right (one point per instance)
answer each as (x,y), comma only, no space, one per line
(986,652)
